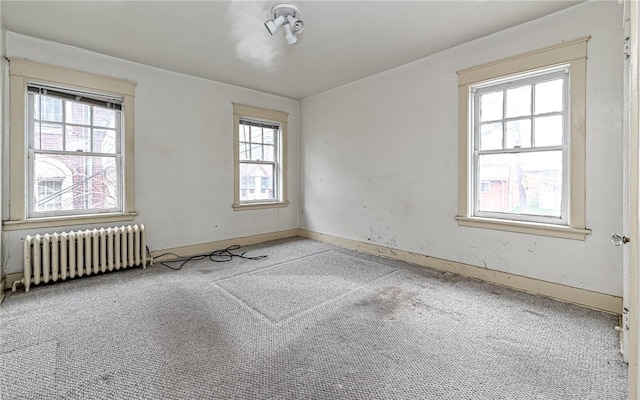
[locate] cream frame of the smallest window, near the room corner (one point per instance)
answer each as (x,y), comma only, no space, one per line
(257,114)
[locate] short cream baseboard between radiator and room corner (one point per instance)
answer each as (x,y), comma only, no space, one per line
(205,248)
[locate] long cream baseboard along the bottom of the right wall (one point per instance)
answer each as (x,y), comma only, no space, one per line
(582,297)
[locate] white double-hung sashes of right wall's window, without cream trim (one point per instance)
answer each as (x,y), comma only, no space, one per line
(520,147)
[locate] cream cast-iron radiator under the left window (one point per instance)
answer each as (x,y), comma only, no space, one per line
(61,256)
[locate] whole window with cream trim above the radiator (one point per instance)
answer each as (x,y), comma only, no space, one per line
(71,147)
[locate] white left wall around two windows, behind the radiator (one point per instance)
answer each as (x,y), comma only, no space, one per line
(183,151)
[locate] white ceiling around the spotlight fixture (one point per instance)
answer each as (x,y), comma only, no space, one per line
(226,41)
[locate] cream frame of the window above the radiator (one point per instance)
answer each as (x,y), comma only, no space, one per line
(23,73)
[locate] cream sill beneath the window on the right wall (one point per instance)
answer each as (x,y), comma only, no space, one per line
(531,228)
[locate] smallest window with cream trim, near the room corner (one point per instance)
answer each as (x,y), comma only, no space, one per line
(259,141)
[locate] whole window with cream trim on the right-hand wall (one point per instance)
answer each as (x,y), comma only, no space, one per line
(522,140)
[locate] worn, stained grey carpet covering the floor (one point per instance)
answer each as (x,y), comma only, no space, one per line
(311,321)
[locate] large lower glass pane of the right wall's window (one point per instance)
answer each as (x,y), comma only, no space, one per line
(521,183)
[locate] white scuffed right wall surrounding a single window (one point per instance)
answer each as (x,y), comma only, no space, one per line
(380,158)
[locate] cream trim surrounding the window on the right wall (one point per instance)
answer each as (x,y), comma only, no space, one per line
(574,54)
